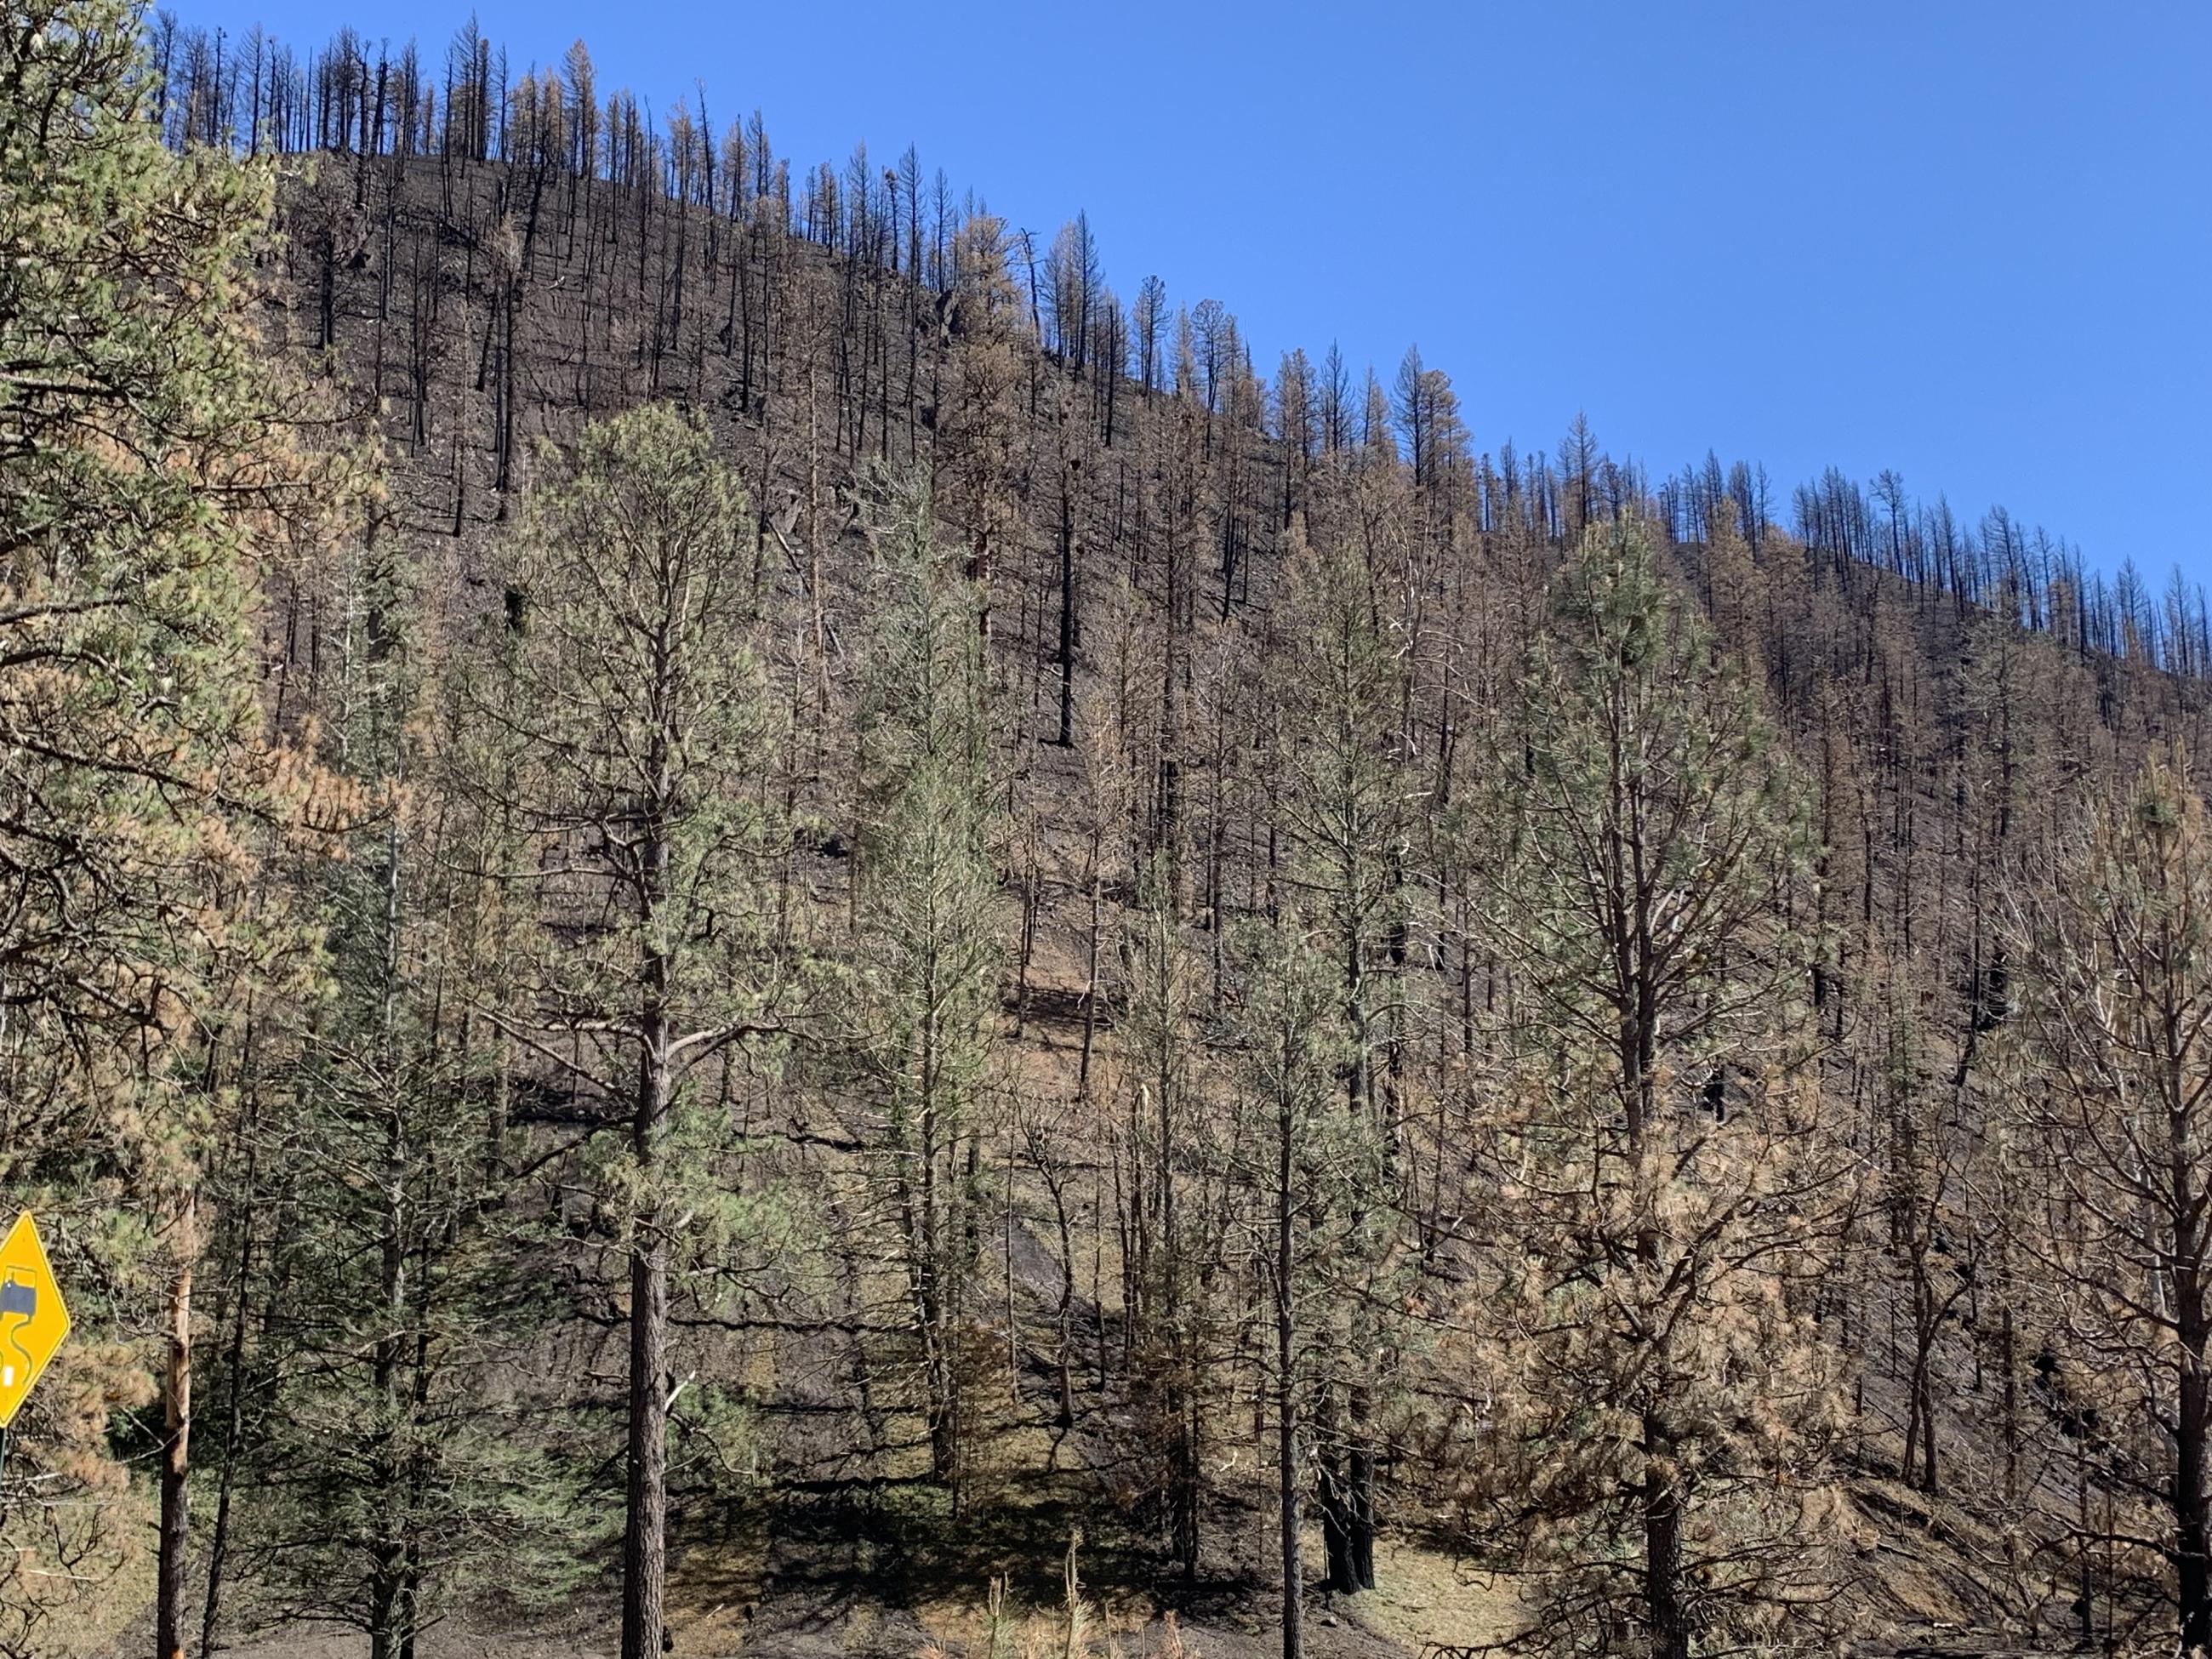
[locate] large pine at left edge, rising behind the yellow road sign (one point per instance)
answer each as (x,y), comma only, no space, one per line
(145,459)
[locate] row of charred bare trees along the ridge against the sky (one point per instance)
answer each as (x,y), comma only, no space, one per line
(262,96)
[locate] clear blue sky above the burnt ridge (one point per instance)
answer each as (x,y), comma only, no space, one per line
(1972,242)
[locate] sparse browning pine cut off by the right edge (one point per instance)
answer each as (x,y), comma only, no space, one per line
(2118,1112)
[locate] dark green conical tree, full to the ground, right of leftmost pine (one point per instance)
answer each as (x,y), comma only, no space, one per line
(384,1280)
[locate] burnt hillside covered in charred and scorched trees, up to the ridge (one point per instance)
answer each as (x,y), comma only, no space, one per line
(1229,957)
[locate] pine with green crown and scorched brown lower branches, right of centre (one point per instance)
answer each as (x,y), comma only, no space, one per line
(1658,1138)
